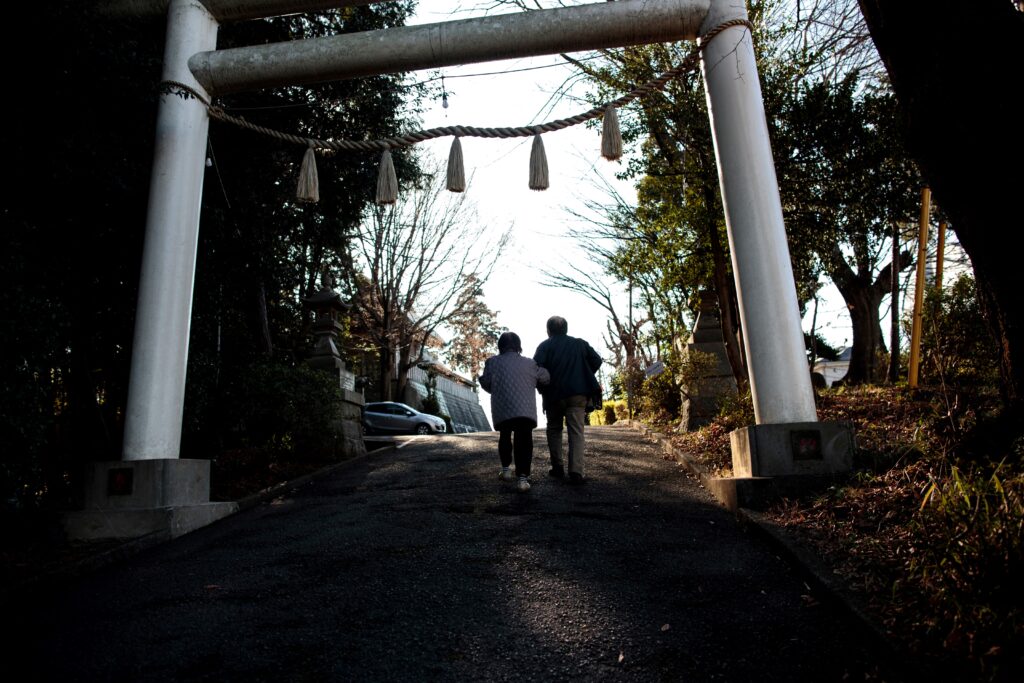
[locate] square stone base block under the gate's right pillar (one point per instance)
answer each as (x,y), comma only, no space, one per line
(802,449)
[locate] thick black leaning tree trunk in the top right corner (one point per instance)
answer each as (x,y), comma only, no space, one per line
(964,134)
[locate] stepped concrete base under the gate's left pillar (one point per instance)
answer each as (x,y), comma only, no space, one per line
(135,498)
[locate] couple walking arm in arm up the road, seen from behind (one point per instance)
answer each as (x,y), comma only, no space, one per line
(563,370)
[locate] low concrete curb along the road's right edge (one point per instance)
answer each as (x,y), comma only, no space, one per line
(817,575)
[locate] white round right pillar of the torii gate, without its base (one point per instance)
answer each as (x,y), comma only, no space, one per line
(781,381)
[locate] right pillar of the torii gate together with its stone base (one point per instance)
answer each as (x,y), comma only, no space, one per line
(788,445)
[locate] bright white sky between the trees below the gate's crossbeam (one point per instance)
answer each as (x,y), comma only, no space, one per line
(498,173)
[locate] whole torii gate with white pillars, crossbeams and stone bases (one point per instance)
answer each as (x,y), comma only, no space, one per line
(787,429)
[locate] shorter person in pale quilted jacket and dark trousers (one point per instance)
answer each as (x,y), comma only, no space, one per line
(513,379)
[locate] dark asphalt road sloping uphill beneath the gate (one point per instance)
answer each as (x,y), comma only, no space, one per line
(418,565)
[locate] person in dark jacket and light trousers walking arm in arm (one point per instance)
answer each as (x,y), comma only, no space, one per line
(573,364)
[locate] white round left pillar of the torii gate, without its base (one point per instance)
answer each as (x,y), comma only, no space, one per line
(163,317)
